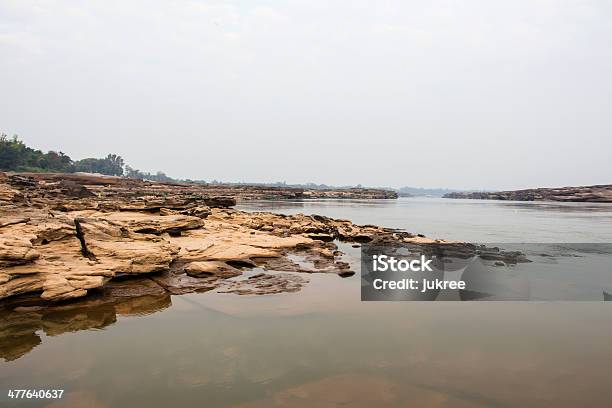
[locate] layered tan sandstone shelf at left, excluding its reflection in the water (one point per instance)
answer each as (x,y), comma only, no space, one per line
(63,237)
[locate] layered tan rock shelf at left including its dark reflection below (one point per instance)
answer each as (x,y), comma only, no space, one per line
(77,253)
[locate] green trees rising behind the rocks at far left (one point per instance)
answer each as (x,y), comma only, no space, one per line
(16,156)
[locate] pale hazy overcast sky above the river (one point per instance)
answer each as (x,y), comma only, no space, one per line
(457,94)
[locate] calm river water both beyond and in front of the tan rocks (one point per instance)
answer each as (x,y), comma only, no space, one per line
(323,347)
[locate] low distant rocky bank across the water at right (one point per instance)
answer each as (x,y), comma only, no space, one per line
(587,194)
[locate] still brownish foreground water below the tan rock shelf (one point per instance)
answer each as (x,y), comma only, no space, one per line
(384,354)
